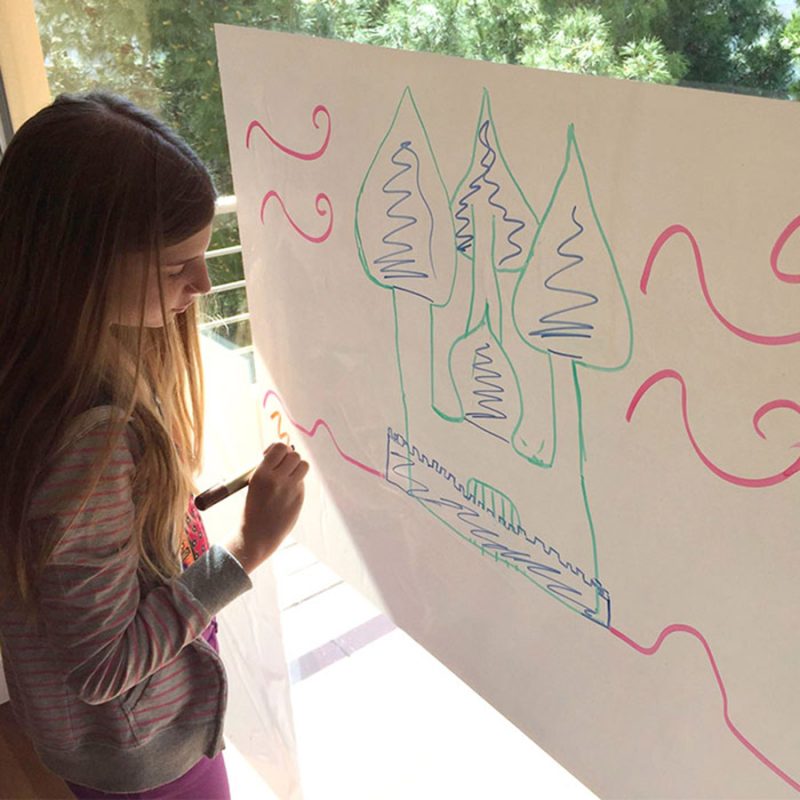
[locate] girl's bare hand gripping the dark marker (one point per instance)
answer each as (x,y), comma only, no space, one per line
(274,498)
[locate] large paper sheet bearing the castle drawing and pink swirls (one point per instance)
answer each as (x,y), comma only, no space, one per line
(538,334)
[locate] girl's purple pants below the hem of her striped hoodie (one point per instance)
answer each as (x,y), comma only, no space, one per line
(207,779)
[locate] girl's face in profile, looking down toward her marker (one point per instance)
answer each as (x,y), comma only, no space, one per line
(184,275)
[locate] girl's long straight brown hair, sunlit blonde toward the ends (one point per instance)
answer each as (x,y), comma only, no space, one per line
(85,184)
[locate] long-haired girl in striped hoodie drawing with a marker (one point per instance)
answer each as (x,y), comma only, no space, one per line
(107,634)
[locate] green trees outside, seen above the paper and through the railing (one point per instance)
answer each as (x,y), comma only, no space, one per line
(162,54)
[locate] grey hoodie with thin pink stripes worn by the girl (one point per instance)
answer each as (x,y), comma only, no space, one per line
(112,682)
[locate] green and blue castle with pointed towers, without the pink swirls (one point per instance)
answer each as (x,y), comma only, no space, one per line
(544,295)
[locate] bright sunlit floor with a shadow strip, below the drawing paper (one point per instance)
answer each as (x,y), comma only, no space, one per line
(378,718)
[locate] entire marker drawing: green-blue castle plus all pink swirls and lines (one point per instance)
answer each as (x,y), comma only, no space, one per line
(513,306)
